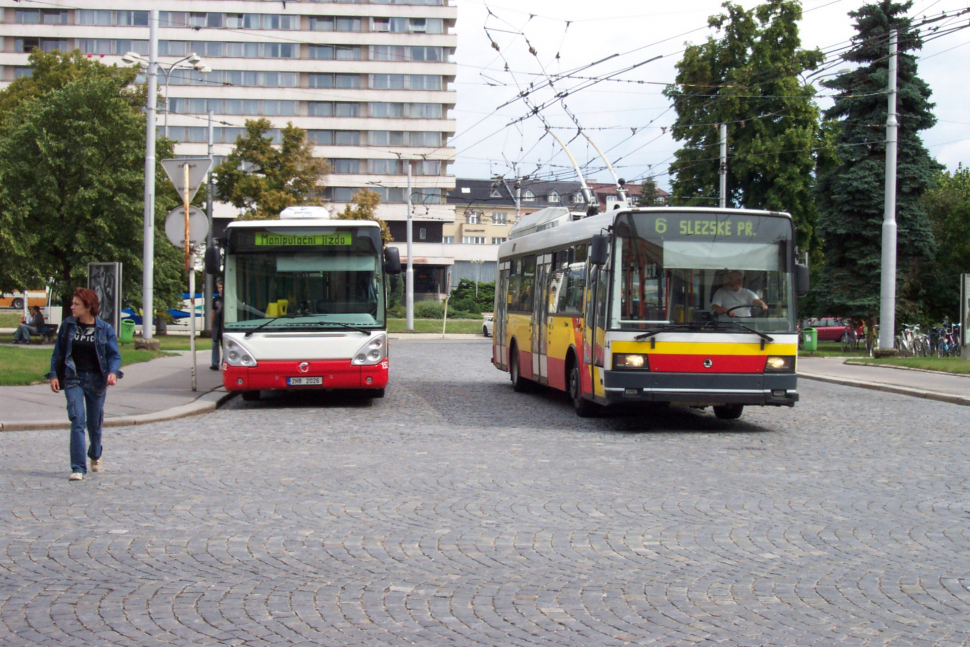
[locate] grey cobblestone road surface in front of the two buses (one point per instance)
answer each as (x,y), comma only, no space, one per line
(456,512)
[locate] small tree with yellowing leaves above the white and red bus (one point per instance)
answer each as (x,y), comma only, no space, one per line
(261,179)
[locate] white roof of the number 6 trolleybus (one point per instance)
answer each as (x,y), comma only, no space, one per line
(583,229)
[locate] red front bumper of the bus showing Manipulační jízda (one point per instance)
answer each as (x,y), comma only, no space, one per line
(332,374)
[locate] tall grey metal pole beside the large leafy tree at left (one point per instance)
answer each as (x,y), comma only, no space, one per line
(148,251)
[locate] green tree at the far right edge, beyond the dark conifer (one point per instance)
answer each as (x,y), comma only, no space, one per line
(947,205)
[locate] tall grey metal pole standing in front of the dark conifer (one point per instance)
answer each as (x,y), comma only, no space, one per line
(887,303)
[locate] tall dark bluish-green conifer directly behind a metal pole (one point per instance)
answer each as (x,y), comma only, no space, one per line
(851,192)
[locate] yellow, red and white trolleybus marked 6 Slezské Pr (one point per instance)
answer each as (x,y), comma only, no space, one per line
(658,305)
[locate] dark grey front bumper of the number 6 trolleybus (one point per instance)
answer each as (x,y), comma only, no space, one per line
(773,389)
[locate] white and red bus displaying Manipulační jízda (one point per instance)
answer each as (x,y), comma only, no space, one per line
(305,304)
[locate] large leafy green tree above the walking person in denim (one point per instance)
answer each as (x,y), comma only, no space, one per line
(72,158)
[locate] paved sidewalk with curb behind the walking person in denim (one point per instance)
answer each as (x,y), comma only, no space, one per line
(150,392)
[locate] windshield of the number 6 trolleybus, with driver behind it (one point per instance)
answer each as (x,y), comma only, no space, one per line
(681,268)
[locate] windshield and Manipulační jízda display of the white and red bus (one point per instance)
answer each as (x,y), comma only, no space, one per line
(306,279)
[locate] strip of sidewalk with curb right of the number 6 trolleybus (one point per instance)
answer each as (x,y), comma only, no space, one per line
(932,385)
